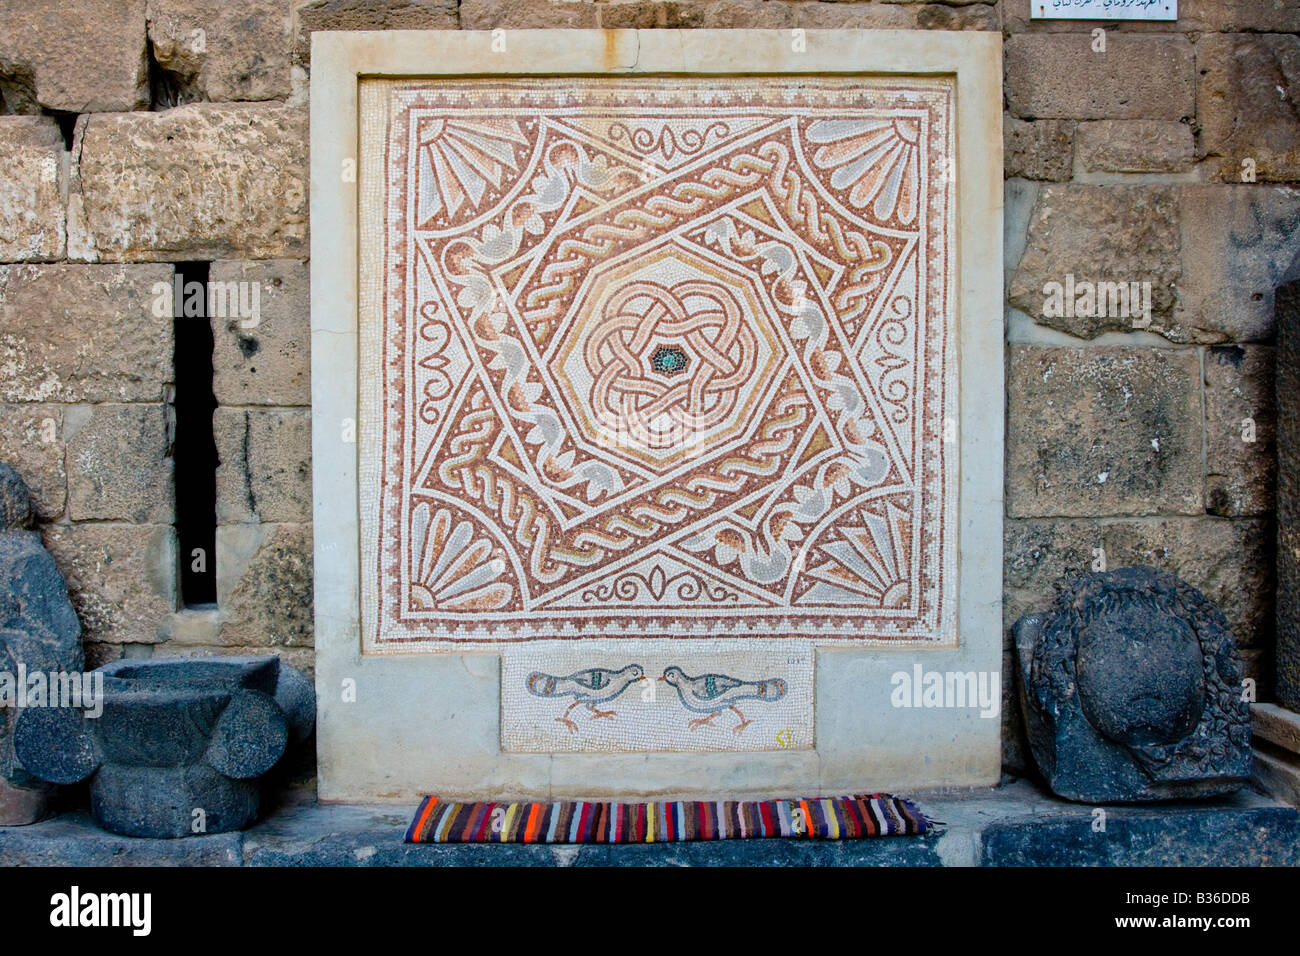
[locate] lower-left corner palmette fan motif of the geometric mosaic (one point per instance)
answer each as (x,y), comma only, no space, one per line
(457,569)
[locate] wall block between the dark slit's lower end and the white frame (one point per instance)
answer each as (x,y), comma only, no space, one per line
(265,585)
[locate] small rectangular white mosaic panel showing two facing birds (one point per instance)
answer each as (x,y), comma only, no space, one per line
(629,697)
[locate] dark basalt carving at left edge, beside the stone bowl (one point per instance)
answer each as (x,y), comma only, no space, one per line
(40,633)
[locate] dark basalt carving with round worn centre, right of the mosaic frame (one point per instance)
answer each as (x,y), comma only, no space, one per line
(1132,690)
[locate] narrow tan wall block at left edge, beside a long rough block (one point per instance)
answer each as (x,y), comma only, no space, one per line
(33,224)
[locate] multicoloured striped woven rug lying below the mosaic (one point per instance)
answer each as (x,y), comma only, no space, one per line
(575,821)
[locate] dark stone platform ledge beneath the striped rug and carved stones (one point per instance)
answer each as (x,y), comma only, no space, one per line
(1015,825)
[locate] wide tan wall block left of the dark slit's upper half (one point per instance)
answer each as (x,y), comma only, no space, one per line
(84,334)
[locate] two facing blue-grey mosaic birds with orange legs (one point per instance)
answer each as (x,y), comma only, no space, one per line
(708,694)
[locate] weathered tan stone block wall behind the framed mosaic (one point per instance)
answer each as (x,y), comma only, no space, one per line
(148,133)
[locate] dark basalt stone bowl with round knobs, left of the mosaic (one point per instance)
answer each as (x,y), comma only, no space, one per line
(180,746)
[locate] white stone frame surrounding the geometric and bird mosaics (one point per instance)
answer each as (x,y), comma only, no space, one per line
(430,723)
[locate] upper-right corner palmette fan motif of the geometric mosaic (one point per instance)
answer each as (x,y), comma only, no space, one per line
(877,161)
